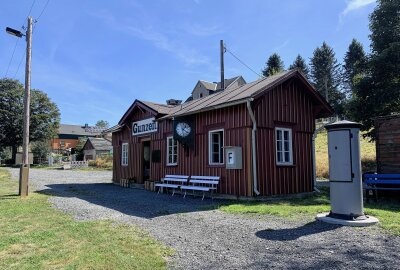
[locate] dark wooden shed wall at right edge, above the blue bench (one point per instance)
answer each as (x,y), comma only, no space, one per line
(388,145)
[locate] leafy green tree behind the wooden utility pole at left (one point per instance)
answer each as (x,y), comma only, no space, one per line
(45,116)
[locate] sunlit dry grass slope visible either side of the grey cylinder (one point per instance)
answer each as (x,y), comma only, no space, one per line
(367,149)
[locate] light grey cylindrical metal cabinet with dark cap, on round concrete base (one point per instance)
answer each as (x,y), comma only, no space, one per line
(345,170)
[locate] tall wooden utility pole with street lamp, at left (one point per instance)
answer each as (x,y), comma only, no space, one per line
(24,172)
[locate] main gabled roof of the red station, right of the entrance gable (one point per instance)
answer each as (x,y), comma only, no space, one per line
(241,94)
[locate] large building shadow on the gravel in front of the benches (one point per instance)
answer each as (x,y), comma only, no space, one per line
(133,202)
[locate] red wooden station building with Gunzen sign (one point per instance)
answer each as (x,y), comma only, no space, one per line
(272,120)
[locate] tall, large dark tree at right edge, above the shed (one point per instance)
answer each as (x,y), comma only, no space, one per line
(377,92)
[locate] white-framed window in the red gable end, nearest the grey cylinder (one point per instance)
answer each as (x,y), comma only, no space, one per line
(284,154)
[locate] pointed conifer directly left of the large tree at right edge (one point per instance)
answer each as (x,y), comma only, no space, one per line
(355,65)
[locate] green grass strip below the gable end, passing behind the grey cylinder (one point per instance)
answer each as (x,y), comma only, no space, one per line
(387,212)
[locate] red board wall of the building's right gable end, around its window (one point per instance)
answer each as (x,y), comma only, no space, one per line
(285,106)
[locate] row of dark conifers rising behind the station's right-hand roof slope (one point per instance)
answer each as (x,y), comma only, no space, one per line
(364,86)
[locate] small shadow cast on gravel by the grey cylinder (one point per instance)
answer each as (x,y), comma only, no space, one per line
(291,234)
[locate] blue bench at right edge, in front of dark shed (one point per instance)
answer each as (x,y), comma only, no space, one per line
(377,181)
